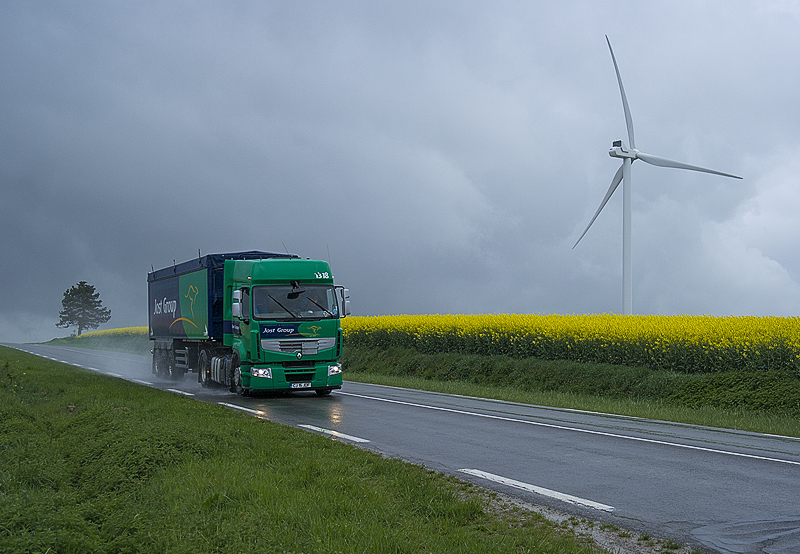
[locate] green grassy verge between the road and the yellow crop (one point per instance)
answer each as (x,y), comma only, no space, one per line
(762,401)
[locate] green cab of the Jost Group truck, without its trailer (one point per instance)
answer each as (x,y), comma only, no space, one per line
(285,325)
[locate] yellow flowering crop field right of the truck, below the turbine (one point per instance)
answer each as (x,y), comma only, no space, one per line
(681,343)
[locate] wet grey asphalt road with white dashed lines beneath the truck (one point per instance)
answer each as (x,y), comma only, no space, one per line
(725,491)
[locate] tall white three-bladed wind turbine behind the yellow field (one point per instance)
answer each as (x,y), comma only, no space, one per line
(628,156)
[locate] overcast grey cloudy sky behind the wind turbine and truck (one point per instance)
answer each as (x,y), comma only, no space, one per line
(443,156)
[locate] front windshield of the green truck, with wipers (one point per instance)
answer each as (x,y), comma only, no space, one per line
(286,302)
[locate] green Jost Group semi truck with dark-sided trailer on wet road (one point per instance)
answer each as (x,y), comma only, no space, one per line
(250,321)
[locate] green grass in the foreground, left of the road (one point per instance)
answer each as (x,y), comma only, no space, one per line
(96,464)
